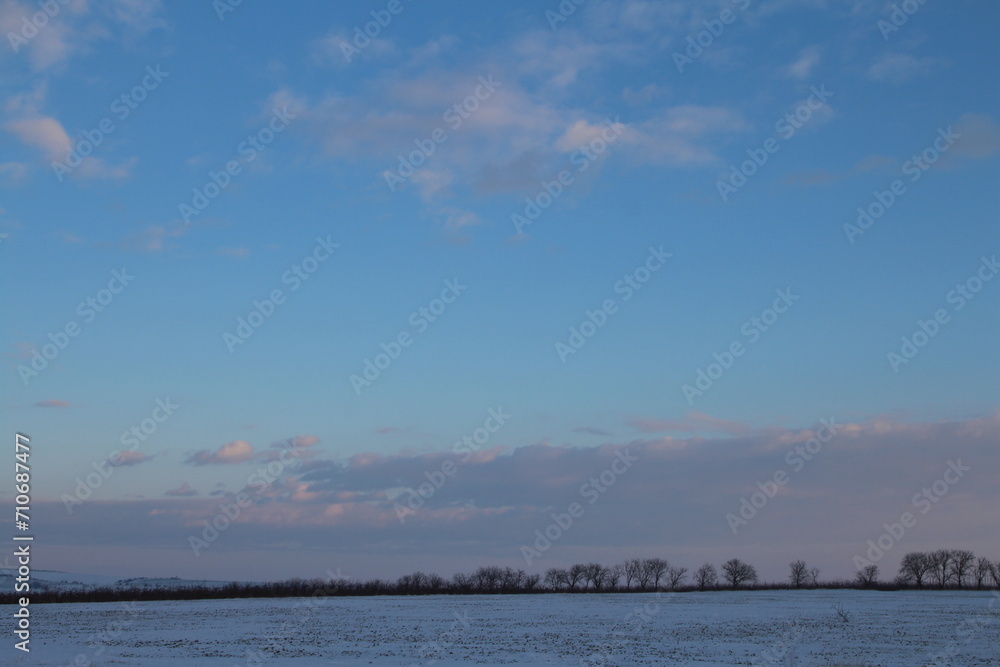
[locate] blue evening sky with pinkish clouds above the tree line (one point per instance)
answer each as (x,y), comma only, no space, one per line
(394,285)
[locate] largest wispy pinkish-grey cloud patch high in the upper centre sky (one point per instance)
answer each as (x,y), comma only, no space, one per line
(518,134)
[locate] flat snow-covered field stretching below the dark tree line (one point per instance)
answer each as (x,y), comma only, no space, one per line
(903,629)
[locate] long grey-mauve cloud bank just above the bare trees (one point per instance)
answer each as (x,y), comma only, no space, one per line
(672,501)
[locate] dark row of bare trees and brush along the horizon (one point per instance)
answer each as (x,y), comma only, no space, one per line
(944,568)
